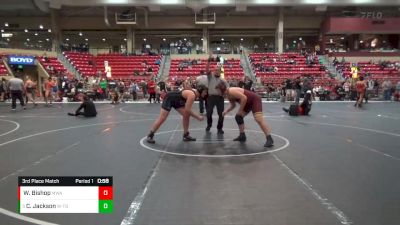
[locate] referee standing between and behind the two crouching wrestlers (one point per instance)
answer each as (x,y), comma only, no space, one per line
(215,99)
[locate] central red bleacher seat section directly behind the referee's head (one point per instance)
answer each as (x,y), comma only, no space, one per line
(232,69)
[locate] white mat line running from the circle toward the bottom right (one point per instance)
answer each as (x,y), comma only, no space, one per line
(322,199)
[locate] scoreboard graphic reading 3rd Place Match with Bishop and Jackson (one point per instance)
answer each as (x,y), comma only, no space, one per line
(65,194)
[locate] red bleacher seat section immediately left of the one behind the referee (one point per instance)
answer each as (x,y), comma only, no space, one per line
(122,66)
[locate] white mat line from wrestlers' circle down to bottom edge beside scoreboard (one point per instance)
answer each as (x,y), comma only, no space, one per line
(134,208)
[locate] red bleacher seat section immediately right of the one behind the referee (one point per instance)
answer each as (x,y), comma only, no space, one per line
(284,69)
